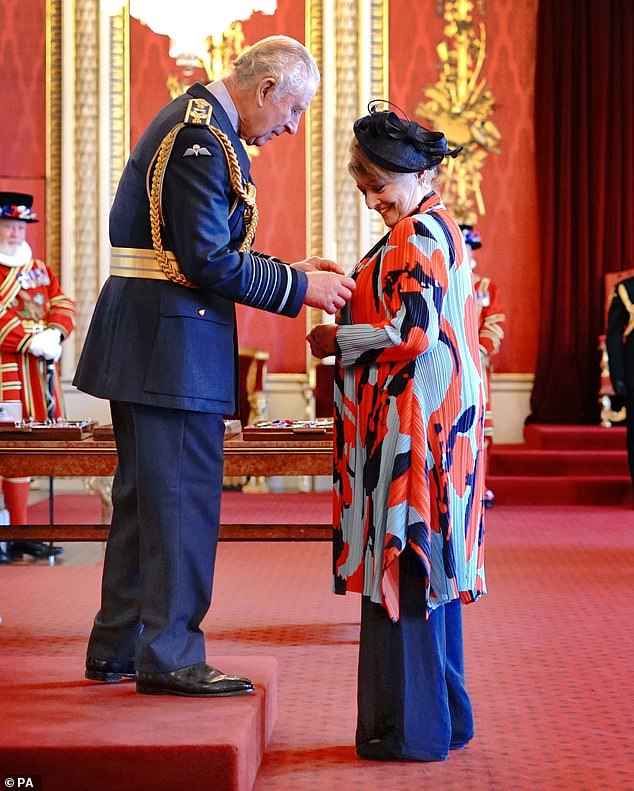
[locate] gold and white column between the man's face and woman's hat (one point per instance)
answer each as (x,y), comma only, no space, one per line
(358,53)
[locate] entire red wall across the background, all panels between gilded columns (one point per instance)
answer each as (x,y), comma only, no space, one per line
(510,252)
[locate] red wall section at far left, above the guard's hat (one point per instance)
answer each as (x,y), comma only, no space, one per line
(23,101)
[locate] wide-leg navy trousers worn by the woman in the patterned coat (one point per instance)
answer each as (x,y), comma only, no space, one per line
(411,697)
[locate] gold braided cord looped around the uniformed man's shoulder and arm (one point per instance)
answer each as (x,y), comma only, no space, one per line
(244,190)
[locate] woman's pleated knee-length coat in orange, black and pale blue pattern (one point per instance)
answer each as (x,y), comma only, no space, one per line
(409,418)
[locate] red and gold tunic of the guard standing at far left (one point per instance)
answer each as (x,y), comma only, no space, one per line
(31,300)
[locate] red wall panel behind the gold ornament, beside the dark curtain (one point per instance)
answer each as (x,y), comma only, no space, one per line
(510,252)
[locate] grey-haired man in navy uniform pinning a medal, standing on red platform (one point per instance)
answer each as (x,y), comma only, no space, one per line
(162,348)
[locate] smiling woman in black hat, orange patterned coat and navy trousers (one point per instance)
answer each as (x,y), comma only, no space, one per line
(408,466)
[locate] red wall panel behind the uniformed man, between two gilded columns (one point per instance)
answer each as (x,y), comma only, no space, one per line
(278,171)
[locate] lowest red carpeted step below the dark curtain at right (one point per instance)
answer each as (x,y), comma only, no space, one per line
(560,490)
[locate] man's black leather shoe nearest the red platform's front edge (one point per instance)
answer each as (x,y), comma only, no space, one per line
(196,681)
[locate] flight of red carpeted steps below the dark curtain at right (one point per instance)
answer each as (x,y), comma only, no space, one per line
(562,465)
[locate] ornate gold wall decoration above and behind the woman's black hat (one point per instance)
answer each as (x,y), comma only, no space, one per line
(461,105)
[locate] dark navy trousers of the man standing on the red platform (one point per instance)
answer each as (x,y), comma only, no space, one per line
(160,555)
